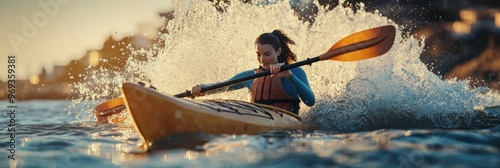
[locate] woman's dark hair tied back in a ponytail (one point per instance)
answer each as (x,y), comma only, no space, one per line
(278,39)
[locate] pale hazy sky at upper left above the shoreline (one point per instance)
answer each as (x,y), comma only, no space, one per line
(44,33)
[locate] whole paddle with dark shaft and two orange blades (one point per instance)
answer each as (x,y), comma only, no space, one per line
(358,46)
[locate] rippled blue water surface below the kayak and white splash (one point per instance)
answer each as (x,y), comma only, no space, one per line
(47,137)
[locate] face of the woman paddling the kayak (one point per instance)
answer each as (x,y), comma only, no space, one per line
(267,55)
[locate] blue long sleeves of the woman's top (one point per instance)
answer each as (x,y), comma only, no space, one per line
(296,85)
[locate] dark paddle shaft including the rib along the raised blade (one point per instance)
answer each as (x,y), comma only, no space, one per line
(309,61)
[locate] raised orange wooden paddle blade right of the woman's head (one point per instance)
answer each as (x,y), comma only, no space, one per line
(362,45)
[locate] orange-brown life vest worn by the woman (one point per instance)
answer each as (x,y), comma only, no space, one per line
(269,90)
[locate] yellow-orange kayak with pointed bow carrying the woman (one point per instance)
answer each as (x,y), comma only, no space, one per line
(156,115)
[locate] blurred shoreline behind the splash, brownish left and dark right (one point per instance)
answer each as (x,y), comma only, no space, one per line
(462,42)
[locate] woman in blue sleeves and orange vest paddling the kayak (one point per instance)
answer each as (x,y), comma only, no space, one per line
(282,89)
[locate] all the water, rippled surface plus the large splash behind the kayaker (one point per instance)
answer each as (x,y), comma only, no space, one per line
(384,112)
